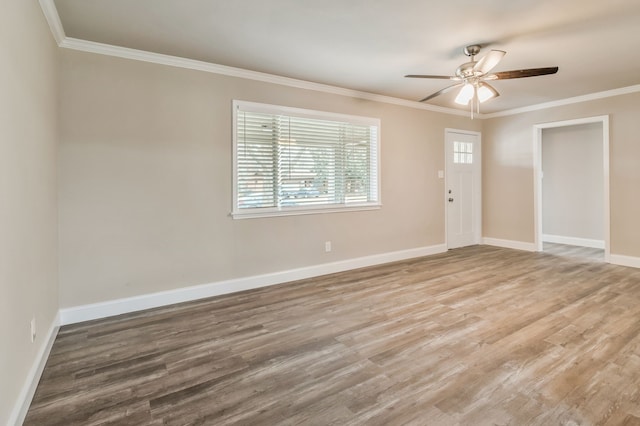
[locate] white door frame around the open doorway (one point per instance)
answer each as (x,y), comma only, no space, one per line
(537,178)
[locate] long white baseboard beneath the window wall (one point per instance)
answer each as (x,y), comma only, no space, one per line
(137,303)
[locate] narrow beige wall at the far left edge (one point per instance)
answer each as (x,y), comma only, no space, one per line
(28,212)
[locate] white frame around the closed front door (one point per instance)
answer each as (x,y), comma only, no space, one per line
(477,214)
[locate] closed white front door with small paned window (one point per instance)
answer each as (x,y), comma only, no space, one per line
(463,193)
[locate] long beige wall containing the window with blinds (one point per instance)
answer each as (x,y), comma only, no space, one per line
(145,182)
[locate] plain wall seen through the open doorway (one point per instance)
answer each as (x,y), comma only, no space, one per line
(573,182)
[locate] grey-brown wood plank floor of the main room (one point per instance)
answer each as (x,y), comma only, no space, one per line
(476,336)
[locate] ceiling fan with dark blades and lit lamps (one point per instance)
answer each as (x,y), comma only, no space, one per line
(473,76)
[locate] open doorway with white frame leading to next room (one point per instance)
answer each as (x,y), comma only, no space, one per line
(572,188)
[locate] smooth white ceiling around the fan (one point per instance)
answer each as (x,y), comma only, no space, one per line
(369,45)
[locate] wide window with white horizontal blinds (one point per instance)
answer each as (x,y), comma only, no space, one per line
(295,161)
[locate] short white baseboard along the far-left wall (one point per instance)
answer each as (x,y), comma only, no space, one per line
(33,378)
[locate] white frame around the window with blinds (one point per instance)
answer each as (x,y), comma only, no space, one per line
(238,213)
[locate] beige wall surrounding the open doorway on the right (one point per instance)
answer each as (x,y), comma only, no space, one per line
(508,170)
